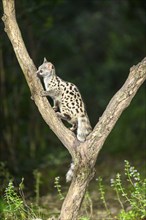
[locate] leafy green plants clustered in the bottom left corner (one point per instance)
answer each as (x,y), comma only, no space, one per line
(15,207)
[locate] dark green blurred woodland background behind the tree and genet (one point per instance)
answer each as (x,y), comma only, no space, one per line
(92,43)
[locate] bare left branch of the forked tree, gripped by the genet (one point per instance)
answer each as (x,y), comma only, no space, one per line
(65,135)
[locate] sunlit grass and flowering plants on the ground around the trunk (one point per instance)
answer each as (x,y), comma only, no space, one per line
(121,196)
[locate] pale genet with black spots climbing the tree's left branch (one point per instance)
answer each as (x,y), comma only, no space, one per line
(68,102)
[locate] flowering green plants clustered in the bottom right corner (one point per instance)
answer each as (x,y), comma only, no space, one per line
(137,198)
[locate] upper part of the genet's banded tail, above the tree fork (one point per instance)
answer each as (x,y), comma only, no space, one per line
(84,128)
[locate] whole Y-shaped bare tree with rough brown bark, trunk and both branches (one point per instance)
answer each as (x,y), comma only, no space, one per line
(84,154)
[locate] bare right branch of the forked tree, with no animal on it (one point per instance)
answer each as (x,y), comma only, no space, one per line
(120,101)
